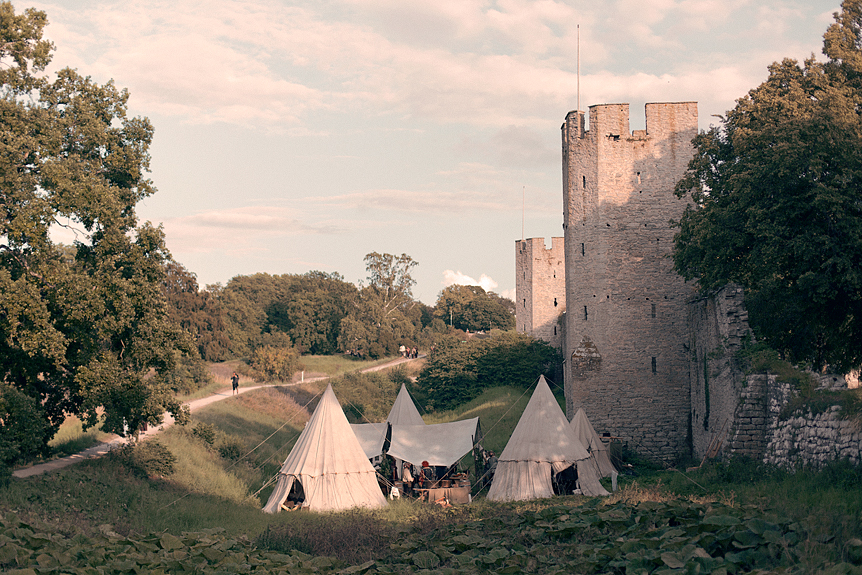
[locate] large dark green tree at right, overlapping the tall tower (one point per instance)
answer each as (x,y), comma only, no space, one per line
(777,202)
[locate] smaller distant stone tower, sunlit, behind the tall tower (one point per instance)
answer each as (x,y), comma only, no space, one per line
(540,289)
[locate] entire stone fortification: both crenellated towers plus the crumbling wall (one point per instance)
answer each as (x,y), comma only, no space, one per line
(649,360)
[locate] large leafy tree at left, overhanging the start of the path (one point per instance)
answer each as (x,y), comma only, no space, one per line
(87,328)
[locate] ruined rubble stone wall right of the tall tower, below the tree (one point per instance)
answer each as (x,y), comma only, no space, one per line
(741,411)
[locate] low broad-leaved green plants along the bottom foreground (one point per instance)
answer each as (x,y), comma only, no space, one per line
(575,535)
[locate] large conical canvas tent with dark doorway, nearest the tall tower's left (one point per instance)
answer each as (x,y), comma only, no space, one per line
(543,443)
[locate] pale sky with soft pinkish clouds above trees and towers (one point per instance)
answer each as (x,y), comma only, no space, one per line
(298,136)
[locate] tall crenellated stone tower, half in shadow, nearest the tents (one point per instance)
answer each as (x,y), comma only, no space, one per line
(626,352)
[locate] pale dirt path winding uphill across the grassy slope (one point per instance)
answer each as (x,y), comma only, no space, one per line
(194,405)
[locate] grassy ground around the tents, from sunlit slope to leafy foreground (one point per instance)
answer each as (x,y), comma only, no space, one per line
(120,514)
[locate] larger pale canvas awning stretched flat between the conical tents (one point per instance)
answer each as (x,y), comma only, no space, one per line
(438,444)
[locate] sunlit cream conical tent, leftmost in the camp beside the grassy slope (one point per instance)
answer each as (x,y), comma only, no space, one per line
(329,463)
